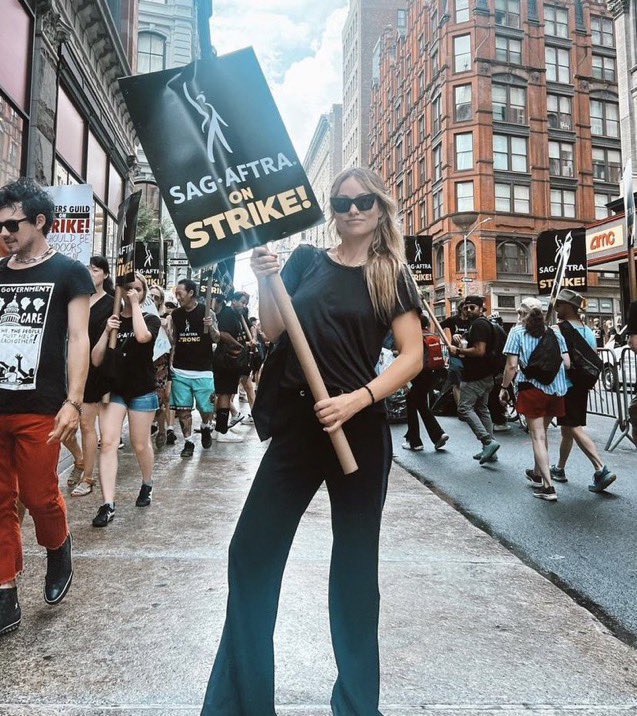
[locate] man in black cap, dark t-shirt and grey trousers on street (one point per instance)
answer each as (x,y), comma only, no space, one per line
(477,379)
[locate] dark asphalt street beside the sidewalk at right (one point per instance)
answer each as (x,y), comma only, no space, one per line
(583,542)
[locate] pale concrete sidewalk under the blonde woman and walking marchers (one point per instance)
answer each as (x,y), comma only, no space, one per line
(466,628)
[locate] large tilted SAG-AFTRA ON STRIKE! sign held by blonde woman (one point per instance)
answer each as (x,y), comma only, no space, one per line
(221,156)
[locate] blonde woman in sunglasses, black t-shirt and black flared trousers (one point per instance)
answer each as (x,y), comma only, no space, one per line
(346,299)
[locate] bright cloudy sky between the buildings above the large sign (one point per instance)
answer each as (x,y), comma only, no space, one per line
(298,43)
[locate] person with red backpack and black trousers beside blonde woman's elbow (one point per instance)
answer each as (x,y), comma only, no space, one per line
(418,396)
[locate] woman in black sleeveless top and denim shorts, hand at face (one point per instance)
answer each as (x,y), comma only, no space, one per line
(131,376)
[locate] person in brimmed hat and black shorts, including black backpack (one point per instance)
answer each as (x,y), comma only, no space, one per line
(586,367)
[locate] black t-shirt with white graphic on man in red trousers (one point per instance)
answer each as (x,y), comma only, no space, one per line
(33,332)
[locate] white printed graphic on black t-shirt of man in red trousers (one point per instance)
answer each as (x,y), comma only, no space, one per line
(23,313)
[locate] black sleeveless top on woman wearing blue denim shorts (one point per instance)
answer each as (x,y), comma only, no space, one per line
(136,372)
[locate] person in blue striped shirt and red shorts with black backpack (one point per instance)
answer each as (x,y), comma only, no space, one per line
(537,357)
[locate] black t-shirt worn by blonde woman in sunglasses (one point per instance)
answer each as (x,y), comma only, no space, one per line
(335,310)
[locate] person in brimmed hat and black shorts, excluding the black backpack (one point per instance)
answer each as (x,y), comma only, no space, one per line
(568,306)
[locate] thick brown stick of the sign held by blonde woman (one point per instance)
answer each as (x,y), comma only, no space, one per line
(309,367)
